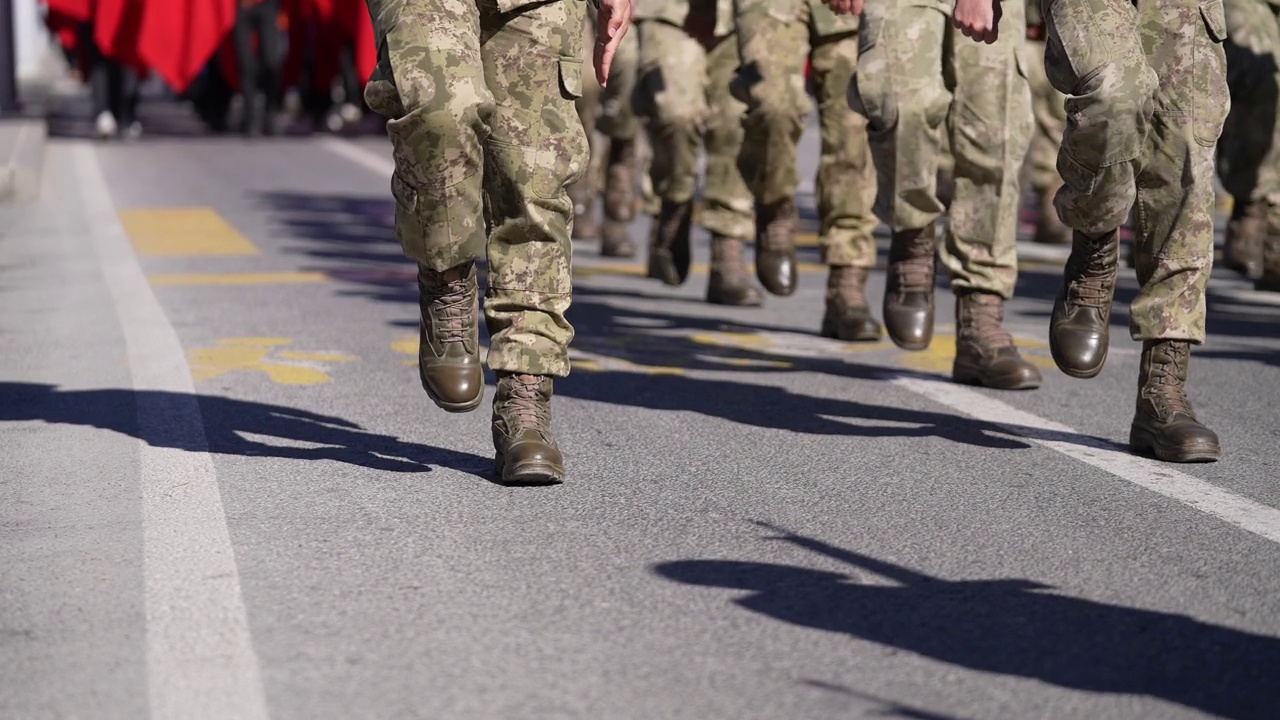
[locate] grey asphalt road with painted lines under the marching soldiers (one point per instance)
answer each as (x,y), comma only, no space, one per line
(223,493)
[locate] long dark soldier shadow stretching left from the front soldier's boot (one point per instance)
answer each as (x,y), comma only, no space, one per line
(227,423)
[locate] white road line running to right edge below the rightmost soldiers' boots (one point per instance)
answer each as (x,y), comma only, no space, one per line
(1158,477)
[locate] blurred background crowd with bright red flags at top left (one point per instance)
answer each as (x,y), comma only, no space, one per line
(236,61)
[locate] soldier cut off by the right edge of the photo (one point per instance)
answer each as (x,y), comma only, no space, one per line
(1250,153)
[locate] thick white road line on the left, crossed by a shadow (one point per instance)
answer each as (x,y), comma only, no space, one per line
(200,657)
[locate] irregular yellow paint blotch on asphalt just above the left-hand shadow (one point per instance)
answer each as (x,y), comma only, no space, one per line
(263,356)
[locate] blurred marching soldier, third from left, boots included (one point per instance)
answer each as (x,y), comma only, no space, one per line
(687,61)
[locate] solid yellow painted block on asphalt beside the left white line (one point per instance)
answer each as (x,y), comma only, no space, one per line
(184,233)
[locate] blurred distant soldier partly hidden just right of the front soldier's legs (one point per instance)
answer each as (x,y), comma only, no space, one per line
(614,136)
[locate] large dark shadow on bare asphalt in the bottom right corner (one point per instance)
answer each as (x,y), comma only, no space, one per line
(1012,627)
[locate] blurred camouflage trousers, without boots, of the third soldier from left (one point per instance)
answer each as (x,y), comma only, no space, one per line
(684,97)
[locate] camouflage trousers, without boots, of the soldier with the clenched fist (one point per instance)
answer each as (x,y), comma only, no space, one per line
(920,80)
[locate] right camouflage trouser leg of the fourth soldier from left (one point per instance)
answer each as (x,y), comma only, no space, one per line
(847,175)
